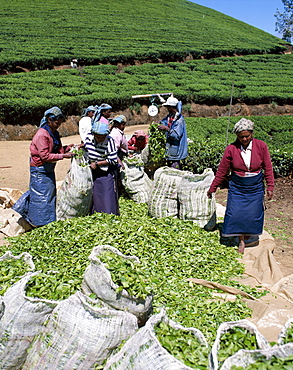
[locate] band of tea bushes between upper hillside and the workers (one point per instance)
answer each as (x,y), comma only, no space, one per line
(262,78)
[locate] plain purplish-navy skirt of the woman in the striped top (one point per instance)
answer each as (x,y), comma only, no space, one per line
(105,195)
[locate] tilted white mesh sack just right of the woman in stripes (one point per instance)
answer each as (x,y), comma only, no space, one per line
(136,182)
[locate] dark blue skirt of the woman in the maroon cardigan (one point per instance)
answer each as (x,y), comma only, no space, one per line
(245,209)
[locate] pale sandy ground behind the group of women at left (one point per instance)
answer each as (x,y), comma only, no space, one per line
(14,160)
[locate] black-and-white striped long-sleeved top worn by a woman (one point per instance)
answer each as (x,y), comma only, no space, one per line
(101,151)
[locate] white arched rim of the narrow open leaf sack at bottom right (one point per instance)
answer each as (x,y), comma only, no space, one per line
(262,343)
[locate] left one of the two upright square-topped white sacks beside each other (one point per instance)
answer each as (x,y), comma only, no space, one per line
(163,200)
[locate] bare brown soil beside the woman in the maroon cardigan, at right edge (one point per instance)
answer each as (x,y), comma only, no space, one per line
(278,221)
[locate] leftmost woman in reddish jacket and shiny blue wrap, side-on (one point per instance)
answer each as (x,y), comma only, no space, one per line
(46,149)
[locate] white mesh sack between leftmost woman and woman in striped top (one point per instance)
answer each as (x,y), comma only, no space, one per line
(74,198)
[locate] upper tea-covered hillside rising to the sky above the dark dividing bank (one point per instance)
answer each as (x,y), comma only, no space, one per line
(39,34)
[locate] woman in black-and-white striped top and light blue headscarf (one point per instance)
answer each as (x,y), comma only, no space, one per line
(102,155)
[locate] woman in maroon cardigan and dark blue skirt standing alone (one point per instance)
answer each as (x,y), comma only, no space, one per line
(249,161)
